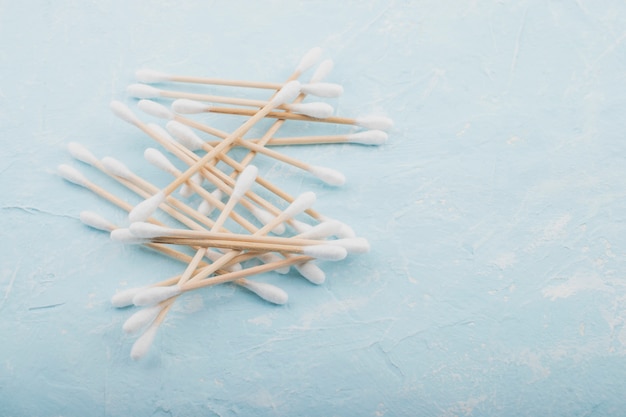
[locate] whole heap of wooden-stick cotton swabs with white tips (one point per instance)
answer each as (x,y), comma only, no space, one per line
(236,232)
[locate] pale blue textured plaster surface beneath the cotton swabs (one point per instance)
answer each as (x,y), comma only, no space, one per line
(496,282)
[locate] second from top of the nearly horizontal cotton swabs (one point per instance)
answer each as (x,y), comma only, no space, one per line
(317,110)
